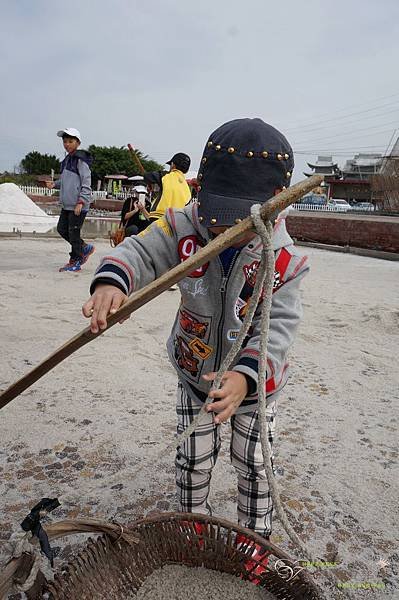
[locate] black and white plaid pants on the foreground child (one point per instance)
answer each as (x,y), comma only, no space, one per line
(196,458)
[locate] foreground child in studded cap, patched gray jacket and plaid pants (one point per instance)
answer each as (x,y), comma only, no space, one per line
(245,161)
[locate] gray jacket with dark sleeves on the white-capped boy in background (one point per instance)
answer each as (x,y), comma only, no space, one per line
(75,181)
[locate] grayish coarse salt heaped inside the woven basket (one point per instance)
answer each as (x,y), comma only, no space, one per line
(177,582)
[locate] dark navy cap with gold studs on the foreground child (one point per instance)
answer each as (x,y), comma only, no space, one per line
(245,162)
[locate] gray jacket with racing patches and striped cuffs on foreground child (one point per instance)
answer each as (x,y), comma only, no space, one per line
(213,305)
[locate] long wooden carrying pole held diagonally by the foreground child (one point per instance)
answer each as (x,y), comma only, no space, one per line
(163,283)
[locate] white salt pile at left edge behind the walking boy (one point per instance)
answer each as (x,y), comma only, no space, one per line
(17,209)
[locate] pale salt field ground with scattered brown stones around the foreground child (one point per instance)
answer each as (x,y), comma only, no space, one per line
(89,432)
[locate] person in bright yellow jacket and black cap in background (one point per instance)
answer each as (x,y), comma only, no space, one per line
(175,192)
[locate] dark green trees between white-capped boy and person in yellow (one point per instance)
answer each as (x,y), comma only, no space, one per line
(112,160)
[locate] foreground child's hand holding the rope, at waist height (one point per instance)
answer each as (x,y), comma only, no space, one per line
(229,397)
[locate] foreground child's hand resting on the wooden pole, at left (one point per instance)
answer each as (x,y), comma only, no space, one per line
(105,300)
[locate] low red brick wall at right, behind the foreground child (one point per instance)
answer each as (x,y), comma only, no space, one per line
(377,233)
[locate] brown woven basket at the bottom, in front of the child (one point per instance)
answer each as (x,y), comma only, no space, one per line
(108,570)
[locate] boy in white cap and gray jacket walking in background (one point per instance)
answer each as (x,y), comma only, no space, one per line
(75,192)
